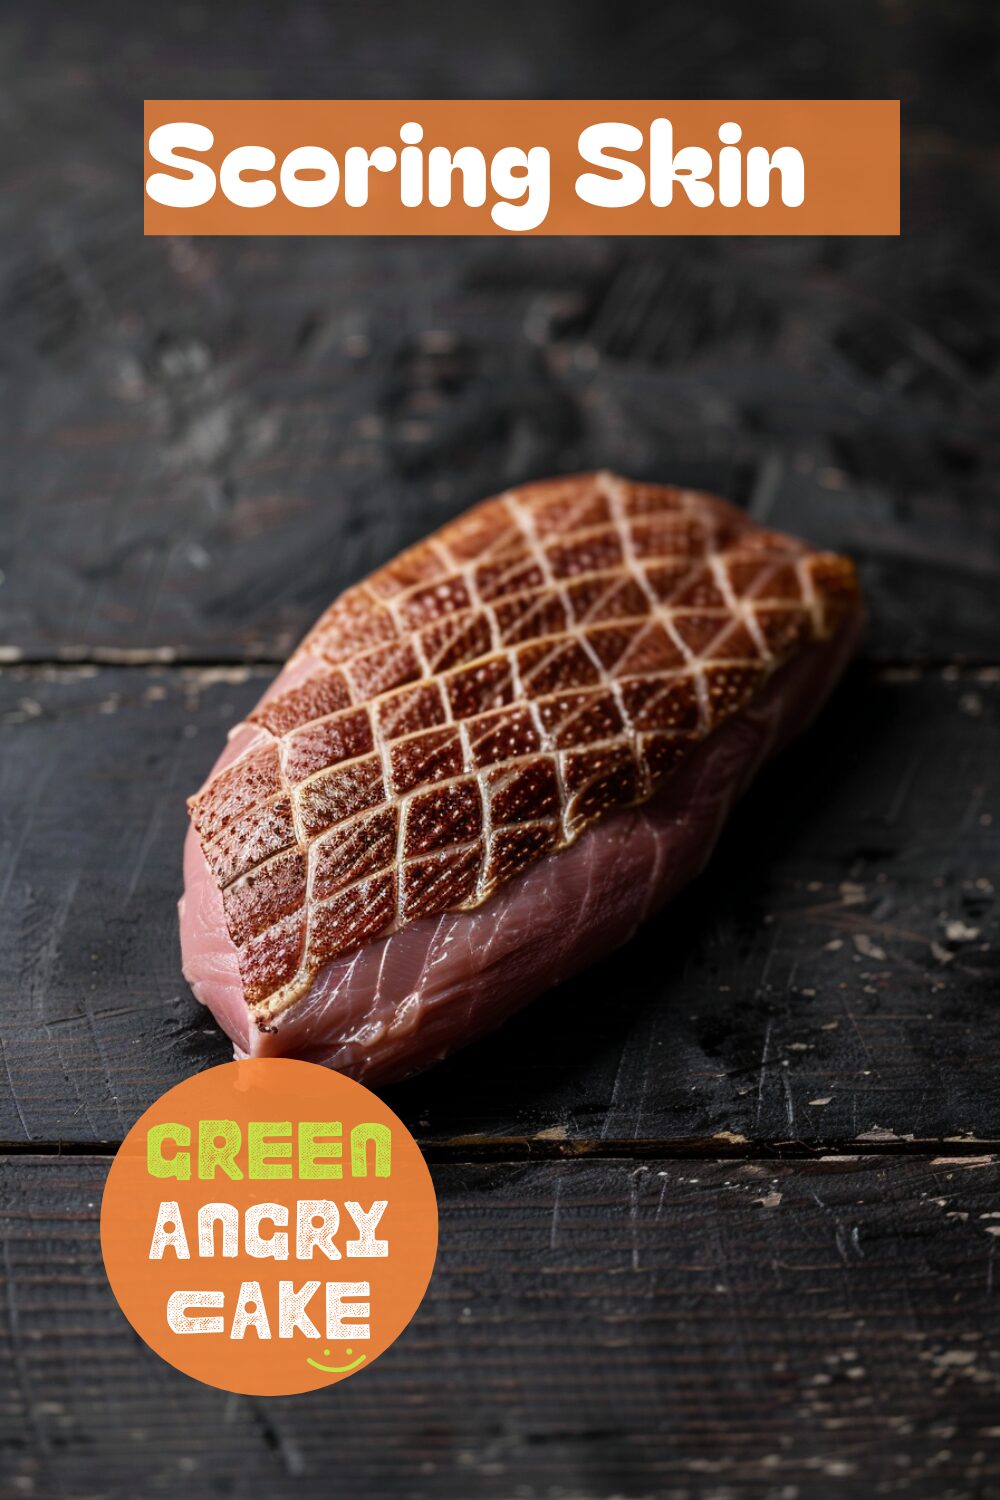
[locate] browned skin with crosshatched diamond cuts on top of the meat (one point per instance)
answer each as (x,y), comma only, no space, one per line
(552,655)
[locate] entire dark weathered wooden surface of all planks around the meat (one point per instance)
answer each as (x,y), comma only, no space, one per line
(719,1217)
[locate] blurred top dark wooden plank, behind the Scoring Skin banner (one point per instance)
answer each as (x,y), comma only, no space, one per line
(208,440)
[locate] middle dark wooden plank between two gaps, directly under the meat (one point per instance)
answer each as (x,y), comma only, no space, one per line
(830,980)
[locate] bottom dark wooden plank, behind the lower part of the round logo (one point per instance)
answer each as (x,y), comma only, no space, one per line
(593,1330)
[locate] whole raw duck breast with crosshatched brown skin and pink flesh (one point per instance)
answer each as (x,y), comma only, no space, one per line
(493,760)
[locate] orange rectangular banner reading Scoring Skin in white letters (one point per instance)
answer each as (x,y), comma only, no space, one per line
(522,167)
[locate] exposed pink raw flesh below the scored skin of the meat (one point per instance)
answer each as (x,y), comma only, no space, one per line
(403,1003)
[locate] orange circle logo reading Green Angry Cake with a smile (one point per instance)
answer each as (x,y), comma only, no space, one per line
(269,1228)
